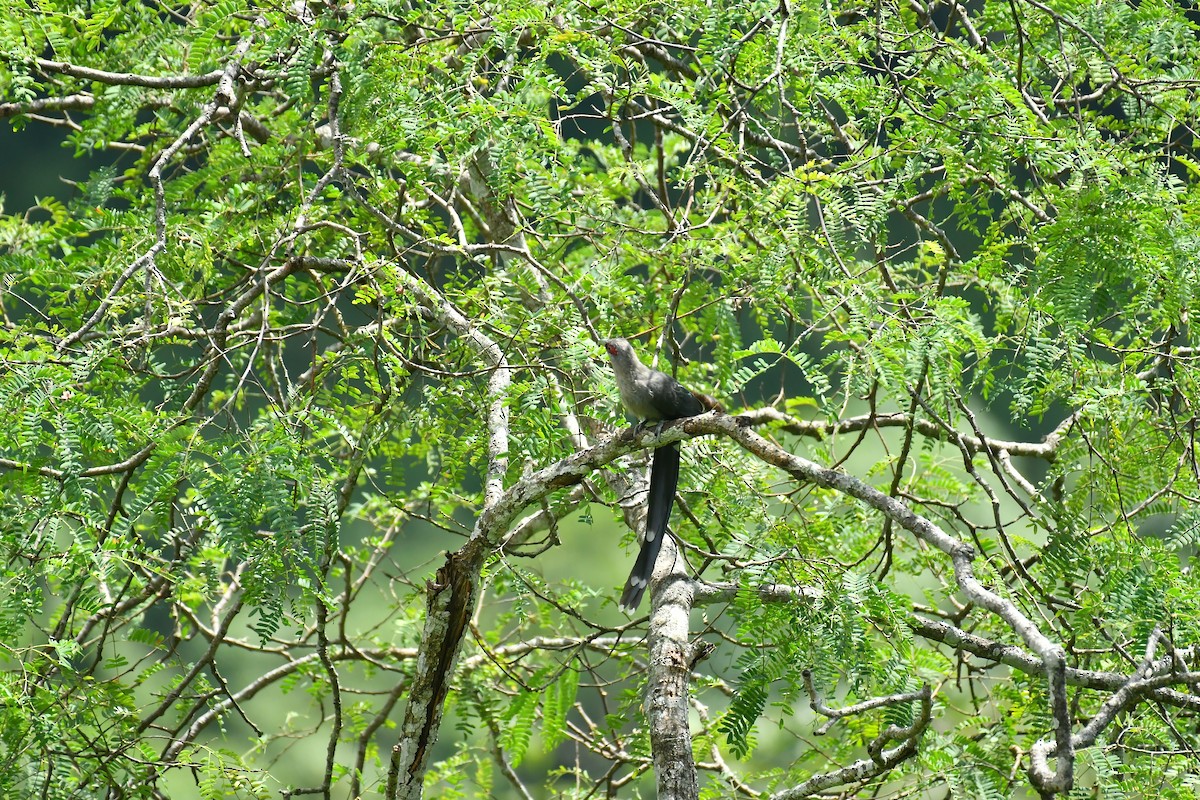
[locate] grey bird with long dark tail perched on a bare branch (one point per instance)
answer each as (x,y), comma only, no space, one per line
(653,396)
